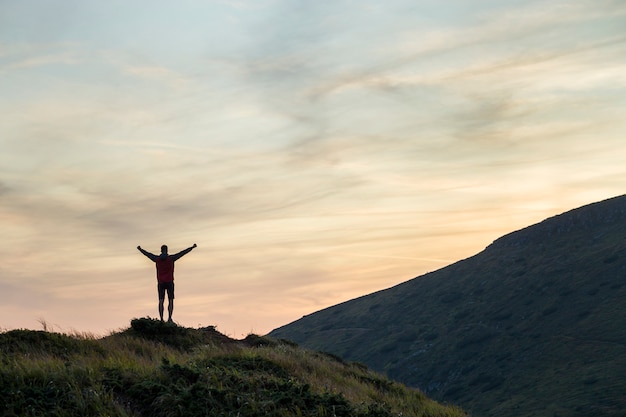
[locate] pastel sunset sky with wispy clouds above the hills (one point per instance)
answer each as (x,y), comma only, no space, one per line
(314,151)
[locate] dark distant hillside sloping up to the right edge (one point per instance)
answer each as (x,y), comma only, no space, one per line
(535,325)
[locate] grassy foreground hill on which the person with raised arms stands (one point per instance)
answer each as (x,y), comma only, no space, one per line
(159,369)
